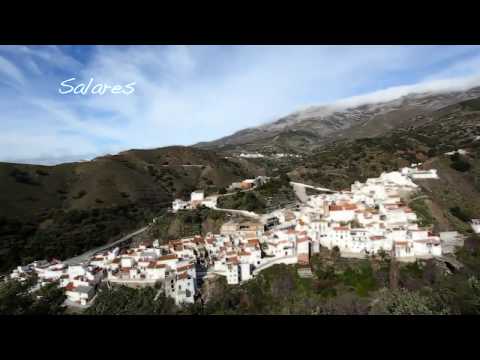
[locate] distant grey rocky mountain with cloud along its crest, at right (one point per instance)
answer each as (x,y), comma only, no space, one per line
(305,130)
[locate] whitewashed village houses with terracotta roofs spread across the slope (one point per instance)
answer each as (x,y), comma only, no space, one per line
(370,218)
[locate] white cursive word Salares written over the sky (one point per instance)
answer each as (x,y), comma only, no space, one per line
(68,87)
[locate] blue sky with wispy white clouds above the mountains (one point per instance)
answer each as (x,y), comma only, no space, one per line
(186,94)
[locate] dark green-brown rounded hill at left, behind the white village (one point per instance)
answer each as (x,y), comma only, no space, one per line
(62,210)
